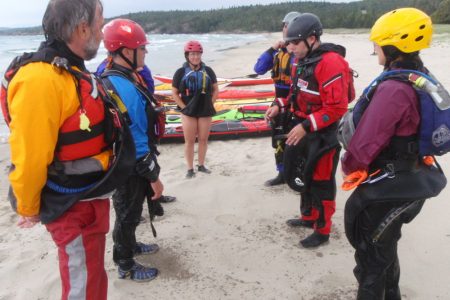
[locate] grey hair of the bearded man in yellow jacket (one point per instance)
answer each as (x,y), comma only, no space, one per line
(63,16)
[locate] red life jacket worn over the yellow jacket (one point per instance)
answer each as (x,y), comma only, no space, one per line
(73,142)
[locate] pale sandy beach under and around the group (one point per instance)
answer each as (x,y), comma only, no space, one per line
(226,237)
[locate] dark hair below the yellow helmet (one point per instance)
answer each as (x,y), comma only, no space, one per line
(398,59)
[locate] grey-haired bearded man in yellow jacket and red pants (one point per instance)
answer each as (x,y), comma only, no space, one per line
(61,146)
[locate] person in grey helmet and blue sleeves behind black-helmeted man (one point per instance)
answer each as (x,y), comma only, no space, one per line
(278,60)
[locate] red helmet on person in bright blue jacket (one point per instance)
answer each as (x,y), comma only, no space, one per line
(120,33)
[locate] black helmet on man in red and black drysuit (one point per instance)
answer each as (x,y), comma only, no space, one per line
(303,27)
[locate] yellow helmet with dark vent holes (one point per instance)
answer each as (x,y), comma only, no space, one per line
(407,29)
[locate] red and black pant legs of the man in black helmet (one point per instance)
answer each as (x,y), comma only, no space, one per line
(317,204)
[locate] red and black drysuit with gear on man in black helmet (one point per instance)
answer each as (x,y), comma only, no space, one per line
(319,98)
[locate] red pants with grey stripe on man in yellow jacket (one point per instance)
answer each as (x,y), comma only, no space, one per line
(80,235)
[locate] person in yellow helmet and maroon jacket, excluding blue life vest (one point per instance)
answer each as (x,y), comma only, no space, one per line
(385,145)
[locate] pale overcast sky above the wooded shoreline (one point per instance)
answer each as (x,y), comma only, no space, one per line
(24,13)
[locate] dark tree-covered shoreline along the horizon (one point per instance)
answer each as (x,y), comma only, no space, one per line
(267,18)
